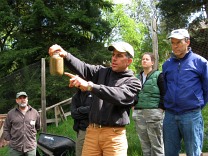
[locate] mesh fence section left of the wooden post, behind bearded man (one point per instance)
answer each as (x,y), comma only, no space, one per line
(23,80)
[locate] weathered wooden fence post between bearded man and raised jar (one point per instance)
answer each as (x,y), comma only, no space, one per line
(43,96)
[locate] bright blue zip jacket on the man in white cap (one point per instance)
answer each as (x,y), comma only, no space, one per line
(186,83)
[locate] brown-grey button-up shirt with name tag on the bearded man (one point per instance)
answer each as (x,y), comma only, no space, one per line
(20,130)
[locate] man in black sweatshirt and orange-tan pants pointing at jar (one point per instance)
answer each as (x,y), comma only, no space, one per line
(114,91)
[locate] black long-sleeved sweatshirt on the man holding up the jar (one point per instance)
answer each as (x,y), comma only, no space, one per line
(113,92)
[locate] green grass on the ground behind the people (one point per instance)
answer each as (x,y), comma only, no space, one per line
(134,149)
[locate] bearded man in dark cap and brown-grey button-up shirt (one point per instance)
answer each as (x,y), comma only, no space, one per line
(20,127)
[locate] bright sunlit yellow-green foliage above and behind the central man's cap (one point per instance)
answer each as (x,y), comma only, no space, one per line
(127,29)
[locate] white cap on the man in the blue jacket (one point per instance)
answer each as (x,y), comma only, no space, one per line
(179,34)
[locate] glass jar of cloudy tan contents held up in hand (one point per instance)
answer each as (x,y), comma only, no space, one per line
(56,64)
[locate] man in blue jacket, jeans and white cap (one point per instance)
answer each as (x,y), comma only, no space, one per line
(186,84)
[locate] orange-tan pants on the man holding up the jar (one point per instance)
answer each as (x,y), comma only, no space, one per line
(105,141)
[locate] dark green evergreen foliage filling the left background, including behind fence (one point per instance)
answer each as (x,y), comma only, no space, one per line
(28,28)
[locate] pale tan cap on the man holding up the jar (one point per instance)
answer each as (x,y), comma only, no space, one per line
(122,47)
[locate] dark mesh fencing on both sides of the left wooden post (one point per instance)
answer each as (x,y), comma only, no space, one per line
(29,79)
